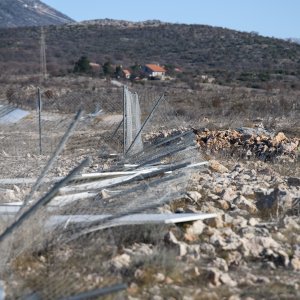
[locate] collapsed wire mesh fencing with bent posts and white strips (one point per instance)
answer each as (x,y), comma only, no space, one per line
(75,212)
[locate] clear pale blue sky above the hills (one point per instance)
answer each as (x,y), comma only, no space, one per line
(275,18)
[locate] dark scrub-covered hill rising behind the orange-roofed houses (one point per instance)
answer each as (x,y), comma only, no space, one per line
(230,56)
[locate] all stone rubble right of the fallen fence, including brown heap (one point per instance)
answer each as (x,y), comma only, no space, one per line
(250,251)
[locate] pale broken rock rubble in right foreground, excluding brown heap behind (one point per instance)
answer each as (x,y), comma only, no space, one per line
(251,251)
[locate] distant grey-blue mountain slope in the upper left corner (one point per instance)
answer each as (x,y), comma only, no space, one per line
(17,13)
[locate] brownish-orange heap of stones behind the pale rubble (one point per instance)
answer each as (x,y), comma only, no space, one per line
(249,143)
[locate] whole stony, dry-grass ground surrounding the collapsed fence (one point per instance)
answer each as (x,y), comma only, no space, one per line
(251,251)
